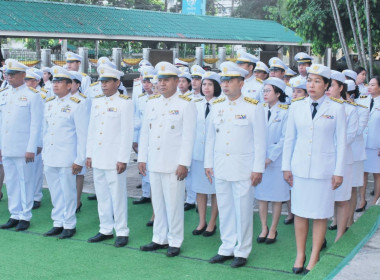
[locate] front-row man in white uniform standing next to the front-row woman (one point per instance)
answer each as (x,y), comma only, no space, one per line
(235,158)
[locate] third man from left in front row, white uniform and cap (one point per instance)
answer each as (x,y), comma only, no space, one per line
(109,145)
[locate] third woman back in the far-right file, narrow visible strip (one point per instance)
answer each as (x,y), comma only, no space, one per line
(358,149)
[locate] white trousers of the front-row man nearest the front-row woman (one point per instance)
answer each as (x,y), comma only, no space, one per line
(235,205)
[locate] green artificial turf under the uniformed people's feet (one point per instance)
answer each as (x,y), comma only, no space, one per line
(29,255)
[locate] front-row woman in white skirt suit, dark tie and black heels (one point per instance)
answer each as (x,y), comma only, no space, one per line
(313,161)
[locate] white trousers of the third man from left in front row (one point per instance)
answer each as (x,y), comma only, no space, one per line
(111,193)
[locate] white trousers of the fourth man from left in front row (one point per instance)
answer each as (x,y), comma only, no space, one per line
(167,201)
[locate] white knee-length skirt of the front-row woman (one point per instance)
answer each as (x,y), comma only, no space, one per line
(312,198)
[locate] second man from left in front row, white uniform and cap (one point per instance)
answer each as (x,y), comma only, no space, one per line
(64,152)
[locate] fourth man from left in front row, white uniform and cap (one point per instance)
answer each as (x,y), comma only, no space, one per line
(166,143)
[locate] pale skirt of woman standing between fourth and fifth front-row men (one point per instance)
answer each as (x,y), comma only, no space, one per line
(199,181)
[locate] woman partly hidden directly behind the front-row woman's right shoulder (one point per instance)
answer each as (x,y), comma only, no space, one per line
(338,90)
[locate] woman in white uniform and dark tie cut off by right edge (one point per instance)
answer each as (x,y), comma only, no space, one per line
(372,139)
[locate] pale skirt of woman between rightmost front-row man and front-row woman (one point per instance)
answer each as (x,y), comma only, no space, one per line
(273,186)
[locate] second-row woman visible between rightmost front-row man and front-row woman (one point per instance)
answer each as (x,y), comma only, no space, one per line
(273,187)
